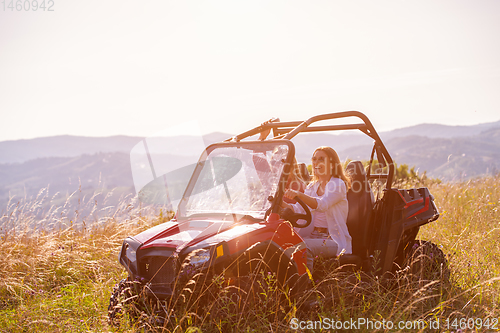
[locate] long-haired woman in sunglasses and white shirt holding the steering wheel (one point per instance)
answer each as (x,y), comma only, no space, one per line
(326,196)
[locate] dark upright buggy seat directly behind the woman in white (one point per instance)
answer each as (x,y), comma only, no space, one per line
(360,199)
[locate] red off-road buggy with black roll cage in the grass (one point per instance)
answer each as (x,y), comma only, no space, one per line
(228,222)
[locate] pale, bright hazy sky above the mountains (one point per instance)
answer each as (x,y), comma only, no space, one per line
(101,68)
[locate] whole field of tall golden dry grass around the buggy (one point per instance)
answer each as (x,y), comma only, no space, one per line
(59,278)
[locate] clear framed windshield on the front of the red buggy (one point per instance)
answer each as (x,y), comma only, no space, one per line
(235,180)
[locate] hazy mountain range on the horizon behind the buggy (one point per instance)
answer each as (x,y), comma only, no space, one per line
(67,164)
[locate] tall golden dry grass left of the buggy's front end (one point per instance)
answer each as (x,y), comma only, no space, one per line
(57,267)
